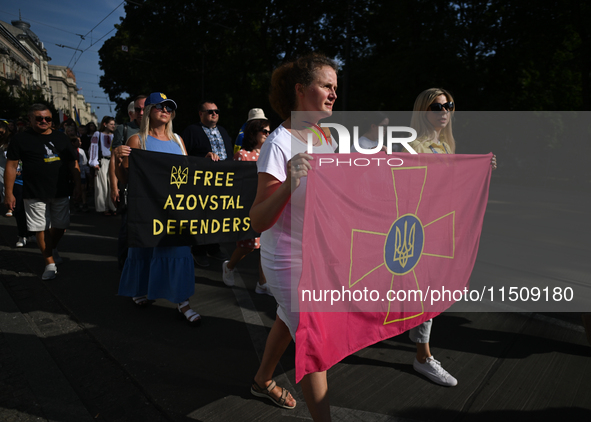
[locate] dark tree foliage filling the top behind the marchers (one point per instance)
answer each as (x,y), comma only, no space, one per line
(501,55)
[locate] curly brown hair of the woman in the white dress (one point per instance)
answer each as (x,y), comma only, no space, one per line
(284,79)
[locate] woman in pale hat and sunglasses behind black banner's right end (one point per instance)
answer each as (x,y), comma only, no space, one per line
(255,134)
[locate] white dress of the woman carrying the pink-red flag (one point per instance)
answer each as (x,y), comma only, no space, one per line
(284,239)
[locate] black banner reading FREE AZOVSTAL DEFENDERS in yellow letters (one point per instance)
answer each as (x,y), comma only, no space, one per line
(176,200)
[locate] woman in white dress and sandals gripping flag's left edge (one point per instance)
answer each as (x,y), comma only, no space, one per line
(307,86)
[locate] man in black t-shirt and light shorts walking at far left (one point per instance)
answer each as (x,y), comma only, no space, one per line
(47,158)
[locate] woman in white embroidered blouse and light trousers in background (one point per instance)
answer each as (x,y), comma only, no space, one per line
(100,158)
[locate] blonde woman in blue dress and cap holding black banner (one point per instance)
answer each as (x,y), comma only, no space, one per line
(159,272)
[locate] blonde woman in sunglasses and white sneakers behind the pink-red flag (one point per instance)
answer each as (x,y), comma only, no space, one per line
(432,119)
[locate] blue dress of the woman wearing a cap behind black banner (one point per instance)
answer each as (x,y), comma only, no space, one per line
(160,272)
